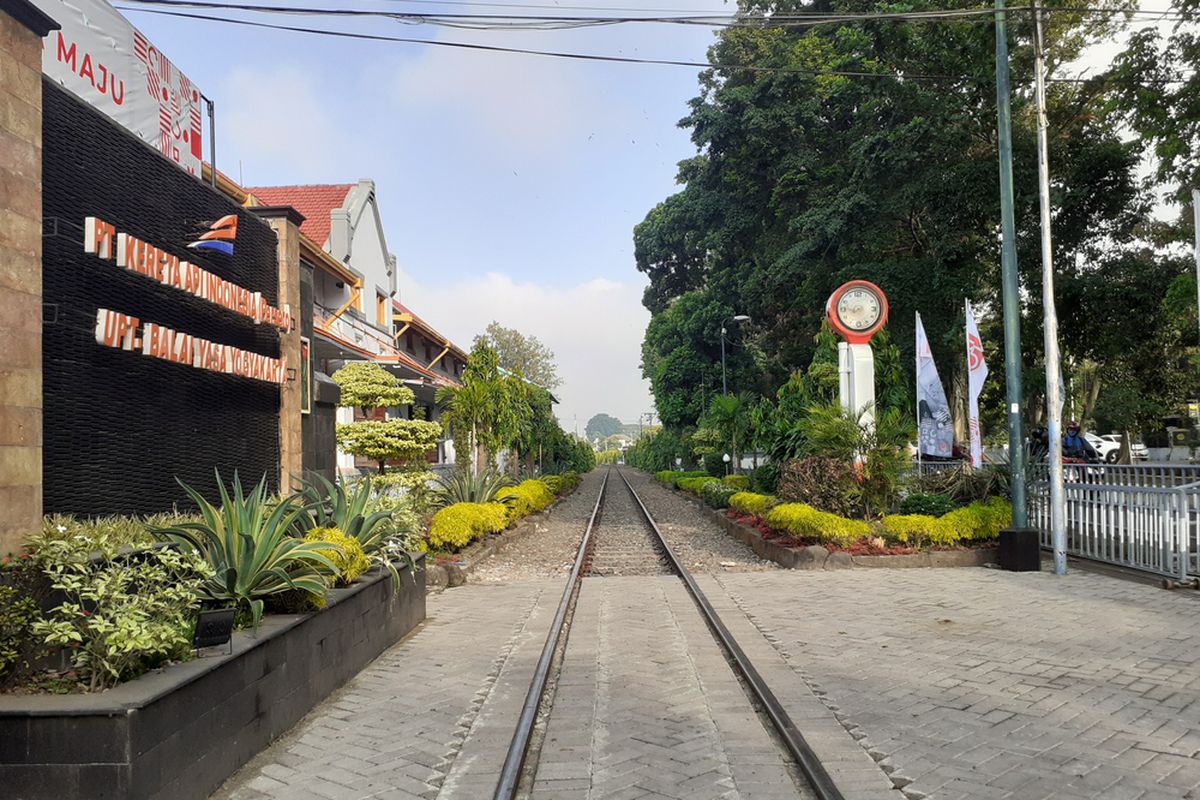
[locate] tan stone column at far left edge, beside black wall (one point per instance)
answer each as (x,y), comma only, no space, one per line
(22,28)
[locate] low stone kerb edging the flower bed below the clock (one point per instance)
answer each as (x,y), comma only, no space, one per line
(815,557)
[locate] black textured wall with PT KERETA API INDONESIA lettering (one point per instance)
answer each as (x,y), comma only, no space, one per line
(159,353)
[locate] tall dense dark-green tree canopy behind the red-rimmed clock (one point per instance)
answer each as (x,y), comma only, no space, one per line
(869,151)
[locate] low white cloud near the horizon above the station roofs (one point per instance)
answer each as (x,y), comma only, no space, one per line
(595,329)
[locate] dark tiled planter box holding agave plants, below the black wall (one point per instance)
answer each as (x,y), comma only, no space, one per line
(181,732)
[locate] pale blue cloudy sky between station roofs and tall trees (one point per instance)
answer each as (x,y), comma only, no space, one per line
(509,185)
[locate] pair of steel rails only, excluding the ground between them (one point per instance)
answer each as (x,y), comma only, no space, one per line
(820,781)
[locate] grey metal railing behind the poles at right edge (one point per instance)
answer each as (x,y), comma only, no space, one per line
(1149,528)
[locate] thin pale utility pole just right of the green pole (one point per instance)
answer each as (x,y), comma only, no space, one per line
(1051,322)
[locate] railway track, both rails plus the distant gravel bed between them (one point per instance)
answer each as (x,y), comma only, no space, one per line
(622,539)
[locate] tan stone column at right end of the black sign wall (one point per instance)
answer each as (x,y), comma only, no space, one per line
(286,222)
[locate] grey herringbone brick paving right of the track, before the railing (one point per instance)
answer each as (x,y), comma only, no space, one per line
(976,683)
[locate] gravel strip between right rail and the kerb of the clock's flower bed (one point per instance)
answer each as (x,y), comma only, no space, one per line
(699,542)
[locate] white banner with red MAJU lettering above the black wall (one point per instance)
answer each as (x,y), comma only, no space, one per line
(101,58)
